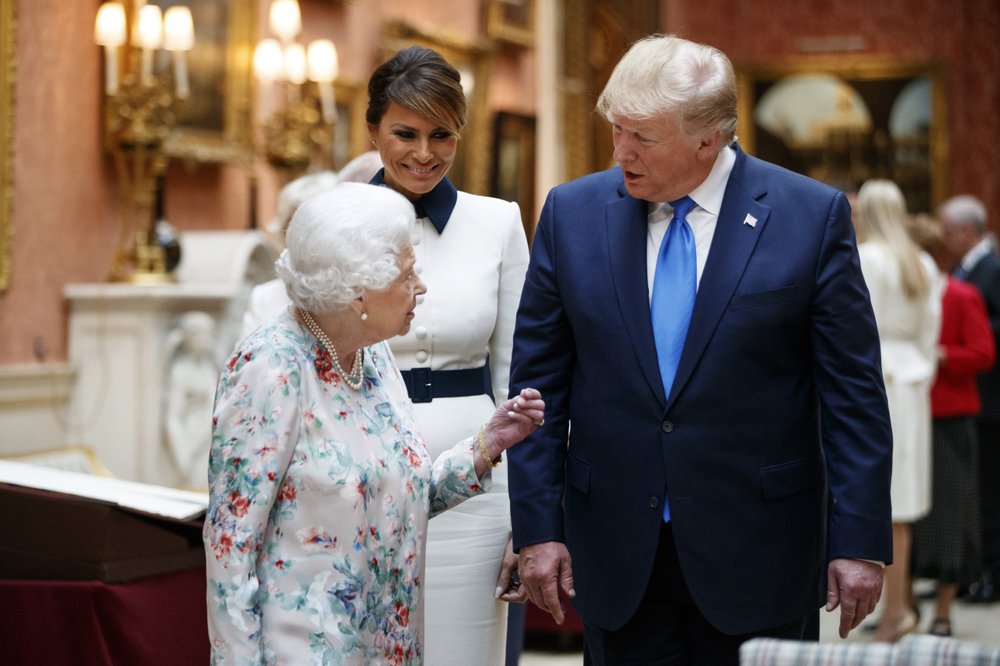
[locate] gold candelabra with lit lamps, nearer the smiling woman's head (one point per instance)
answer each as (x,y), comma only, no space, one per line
(299,134)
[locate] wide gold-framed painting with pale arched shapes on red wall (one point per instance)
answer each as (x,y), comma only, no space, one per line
(844,121)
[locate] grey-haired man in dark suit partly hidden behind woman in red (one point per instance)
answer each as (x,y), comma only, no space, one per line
(963,220)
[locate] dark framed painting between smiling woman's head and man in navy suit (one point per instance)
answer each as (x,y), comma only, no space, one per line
(514,164)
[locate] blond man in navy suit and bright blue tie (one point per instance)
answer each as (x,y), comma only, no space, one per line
(697,484)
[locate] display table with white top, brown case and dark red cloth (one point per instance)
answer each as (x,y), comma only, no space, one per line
(99,571)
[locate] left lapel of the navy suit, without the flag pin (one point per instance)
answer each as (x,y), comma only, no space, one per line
(627,229)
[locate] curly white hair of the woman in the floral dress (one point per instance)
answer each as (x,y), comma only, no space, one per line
(342,243)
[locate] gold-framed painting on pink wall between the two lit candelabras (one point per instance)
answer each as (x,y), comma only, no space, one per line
(214,123)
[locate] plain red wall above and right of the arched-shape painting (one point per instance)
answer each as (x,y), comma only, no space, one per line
(963,34)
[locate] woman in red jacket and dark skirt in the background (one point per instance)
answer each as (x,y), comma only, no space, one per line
(946,542)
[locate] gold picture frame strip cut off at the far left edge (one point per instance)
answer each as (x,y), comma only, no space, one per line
(8,64)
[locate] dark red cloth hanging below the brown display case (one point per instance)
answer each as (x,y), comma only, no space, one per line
(145,622)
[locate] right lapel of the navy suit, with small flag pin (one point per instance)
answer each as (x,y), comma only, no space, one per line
(735,237)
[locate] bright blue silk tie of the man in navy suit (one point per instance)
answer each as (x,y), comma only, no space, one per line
(674,287)
